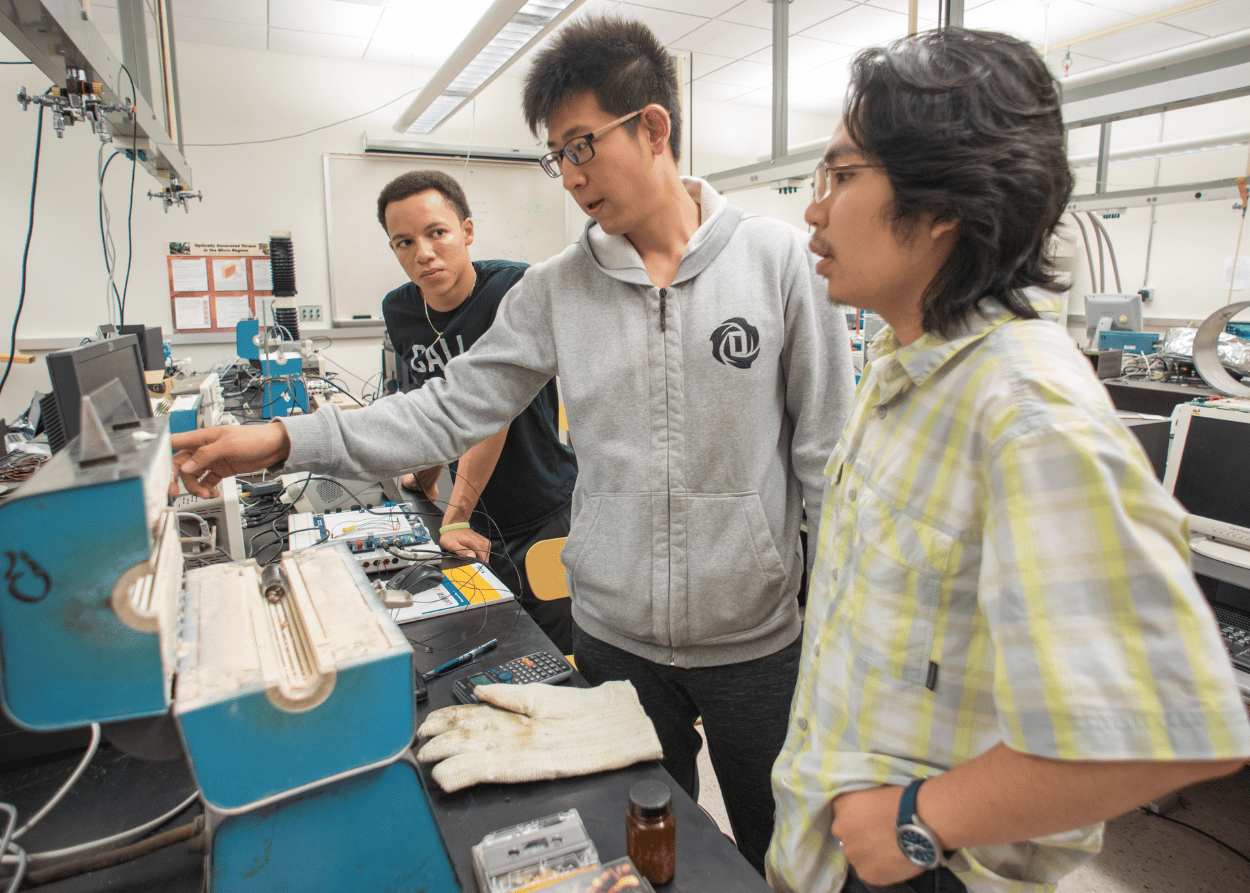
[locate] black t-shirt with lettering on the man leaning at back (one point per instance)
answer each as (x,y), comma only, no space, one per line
(536,473)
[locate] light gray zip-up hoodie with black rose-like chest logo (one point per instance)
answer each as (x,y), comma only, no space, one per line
(702,415)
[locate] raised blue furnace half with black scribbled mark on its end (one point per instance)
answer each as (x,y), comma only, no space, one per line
(74,537)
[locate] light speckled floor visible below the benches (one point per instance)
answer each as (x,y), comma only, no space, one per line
(1141,854)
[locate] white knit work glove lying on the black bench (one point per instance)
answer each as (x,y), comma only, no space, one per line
(526,734)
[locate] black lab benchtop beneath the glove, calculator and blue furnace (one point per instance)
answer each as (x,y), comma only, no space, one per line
(119,792)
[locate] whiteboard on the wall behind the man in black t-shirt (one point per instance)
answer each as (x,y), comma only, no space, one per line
(518,213)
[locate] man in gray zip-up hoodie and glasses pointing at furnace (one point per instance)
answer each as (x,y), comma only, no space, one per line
(707,380)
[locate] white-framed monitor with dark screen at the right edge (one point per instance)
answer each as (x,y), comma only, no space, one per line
(1206,466)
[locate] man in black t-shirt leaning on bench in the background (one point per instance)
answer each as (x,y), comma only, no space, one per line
(514,488)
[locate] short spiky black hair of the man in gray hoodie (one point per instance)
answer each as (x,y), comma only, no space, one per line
(619,62)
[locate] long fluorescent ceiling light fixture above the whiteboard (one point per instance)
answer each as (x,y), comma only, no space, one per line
(504,33)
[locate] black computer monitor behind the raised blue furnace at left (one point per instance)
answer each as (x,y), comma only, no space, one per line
(79,371)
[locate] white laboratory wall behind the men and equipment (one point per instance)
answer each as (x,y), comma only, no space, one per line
(237,104)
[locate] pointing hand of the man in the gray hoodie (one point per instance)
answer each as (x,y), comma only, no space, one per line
(207,456)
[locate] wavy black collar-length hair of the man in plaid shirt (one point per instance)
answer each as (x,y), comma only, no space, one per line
(968,127)
